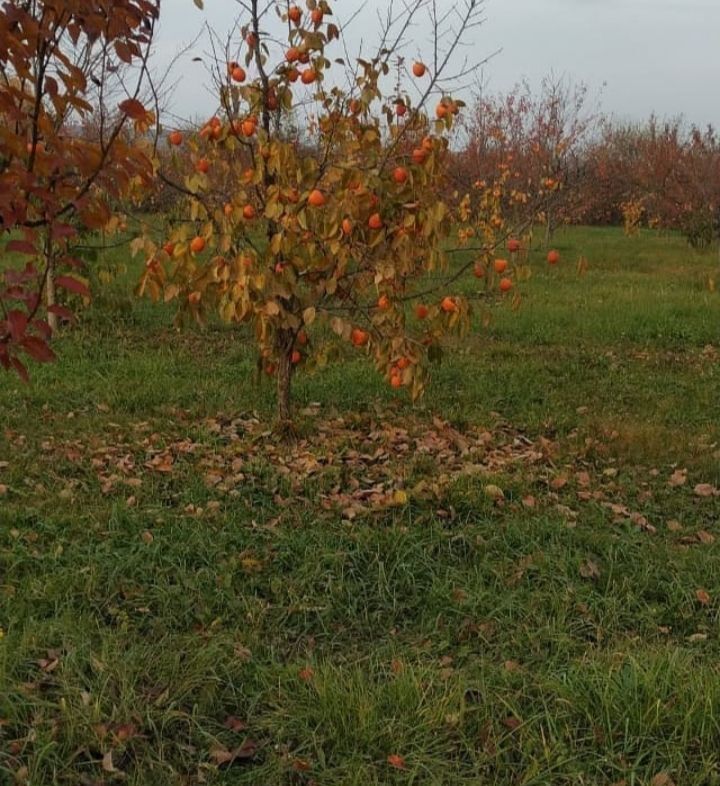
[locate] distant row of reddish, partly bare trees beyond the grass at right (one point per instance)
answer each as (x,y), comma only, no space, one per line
(568,163)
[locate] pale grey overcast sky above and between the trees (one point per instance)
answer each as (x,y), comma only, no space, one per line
(640,56)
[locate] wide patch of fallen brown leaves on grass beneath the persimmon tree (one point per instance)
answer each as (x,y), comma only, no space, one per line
(352,465)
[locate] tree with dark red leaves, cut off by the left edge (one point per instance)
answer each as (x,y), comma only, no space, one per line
(66,66)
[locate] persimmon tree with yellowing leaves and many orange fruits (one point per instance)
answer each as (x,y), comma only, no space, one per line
(341,222)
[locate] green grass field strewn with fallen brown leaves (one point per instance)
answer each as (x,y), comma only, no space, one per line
(516,581)
